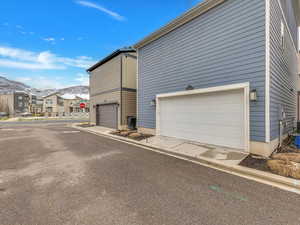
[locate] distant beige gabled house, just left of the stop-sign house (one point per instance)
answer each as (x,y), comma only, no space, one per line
(53,105)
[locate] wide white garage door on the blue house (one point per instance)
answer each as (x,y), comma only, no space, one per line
(214,118)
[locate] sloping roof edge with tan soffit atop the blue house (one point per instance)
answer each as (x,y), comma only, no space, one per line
(179,21)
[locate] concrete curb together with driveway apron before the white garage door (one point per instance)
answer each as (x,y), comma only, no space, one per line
(224,159)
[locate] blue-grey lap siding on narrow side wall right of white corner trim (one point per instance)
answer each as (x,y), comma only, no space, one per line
(283,90)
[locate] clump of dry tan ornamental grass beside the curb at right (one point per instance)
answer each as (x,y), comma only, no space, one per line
(285,168)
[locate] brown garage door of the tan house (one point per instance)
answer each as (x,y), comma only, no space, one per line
(107,115)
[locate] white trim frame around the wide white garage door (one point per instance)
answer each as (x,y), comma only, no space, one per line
(244,86)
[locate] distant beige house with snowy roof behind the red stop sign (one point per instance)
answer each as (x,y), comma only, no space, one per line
(72,103)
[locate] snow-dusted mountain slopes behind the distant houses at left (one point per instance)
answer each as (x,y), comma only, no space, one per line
(9,86)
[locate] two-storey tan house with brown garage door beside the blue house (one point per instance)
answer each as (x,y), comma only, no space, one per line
(113,89)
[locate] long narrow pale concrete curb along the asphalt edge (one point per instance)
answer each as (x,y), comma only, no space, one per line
(284,183)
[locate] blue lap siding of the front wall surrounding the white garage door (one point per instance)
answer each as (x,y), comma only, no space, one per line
(223,46)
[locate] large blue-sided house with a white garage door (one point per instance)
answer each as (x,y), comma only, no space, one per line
(224,73)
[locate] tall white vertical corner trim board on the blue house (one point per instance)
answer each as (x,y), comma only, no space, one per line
(268,71)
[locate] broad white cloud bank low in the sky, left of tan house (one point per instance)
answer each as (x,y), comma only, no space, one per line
(23,59)
